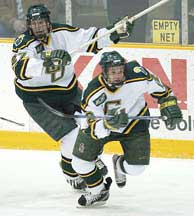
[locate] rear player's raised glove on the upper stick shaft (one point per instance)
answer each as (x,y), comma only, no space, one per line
(122,32)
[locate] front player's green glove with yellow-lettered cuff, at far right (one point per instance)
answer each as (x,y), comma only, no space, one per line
(170,109)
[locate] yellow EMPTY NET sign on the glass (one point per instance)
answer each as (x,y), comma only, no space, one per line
(165,31)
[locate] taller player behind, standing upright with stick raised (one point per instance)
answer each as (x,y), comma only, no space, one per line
(44,72)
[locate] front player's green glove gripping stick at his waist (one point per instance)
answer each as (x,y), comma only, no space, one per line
(119,119)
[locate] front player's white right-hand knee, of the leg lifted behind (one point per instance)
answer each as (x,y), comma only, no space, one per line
(133,169)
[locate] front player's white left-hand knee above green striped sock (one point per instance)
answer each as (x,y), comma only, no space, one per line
(82,166)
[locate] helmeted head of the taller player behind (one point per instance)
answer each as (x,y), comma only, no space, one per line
(38,21)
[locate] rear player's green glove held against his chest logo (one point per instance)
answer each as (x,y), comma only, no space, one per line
(55,60)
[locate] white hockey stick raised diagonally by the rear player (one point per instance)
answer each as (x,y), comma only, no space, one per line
(131,19)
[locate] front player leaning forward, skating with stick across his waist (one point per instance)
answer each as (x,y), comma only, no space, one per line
(118,92)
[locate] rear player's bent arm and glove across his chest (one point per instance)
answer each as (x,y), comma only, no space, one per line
(26,65)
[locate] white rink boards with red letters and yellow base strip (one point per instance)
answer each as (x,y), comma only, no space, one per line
(174,65)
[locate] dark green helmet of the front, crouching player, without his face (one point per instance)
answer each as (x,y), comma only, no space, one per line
(111,59)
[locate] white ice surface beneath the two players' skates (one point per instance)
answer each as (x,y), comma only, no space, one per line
(32,184)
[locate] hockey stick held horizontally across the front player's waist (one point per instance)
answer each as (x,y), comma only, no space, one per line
(79,116)
